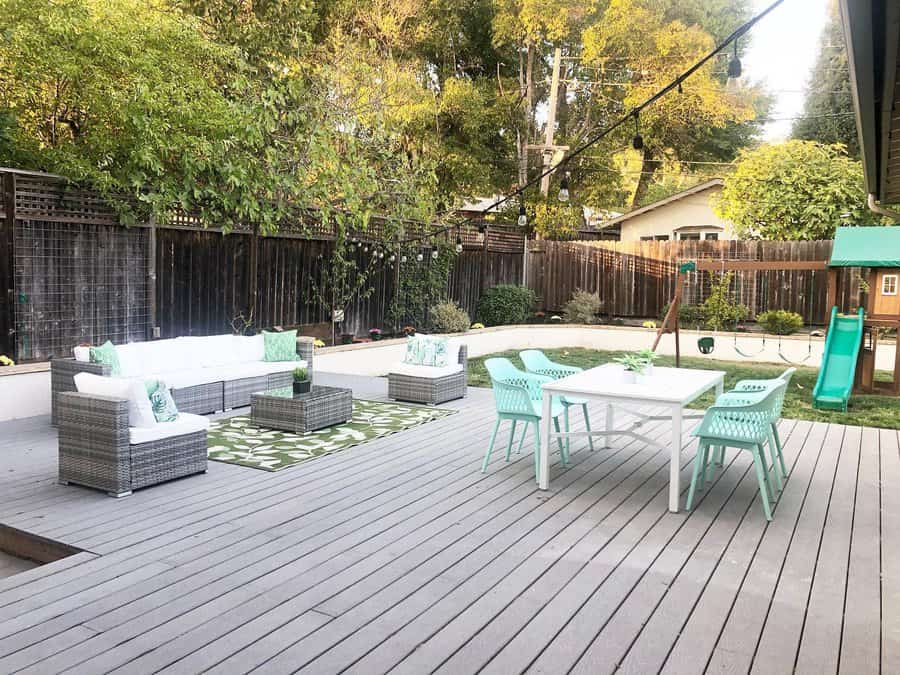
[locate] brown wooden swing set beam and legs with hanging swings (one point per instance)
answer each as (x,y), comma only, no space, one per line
(707,343)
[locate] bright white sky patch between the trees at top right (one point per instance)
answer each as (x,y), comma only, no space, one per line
(782,51)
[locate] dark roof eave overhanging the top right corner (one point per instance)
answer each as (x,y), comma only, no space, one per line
(872,35)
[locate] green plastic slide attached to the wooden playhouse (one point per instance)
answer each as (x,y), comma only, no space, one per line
(838,369)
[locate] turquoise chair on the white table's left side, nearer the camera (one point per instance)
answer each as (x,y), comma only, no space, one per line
(518,397)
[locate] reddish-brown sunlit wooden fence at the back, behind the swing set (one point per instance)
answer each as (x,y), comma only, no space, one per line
(637,279)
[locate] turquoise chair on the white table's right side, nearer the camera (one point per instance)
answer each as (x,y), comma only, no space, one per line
(739,424)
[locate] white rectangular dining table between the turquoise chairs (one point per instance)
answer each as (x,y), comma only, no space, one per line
(668,388)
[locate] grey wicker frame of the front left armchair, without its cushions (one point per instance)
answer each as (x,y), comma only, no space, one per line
(95,448)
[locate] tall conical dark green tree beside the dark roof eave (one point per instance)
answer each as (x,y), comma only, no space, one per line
(828,109)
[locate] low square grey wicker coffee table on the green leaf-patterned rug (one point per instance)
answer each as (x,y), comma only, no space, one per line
(284,410)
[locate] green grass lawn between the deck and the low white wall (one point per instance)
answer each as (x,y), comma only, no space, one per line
(869,411)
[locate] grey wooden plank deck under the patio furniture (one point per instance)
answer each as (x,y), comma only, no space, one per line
(399,556)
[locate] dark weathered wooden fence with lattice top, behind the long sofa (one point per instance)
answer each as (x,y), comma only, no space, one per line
(70,273)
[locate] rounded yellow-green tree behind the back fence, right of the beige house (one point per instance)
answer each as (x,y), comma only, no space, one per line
(798,190)
